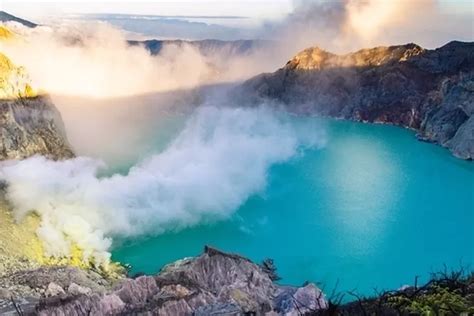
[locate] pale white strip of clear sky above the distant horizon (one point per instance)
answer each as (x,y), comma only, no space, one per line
(264,9)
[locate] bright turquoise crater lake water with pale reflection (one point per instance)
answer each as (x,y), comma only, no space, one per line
(372,209)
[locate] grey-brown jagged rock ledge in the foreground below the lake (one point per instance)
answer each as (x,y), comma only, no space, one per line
(214,283)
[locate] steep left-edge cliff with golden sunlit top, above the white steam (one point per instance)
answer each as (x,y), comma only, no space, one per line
(29,123)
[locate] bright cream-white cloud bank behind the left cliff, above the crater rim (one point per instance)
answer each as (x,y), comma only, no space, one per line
(94,59)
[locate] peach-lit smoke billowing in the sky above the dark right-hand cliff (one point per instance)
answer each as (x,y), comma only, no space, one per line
(346,25)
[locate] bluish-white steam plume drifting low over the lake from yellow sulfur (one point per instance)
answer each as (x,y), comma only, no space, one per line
(221,157)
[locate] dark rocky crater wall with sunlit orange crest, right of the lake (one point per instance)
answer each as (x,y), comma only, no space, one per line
(431,91)
